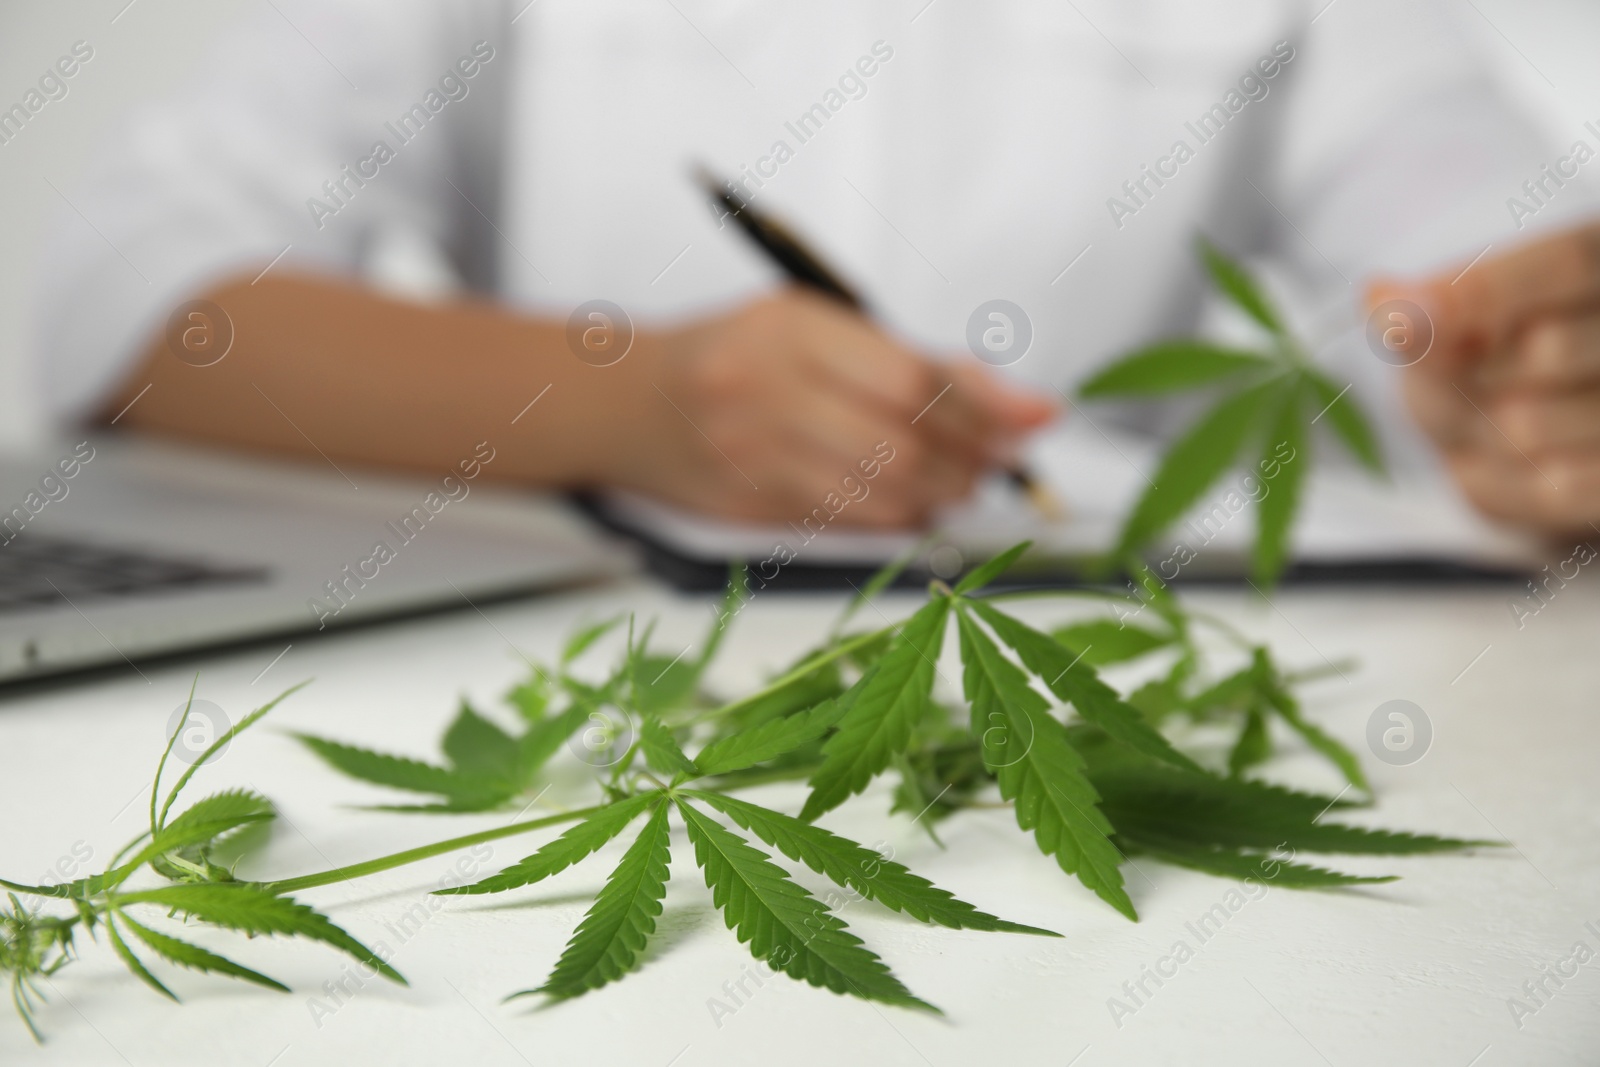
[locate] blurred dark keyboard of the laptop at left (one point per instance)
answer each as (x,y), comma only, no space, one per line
(38,570)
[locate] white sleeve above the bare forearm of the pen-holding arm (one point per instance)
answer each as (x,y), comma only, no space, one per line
(228,174)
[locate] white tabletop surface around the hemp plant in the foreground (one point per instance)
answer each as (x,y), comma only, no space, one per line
(1417,972)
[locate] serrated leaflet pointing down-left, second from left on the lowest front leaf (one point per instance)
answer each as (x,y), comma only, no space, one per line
(623,917)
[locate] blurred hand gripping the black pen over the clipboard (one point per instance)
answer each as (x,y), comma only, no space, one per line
(794,404)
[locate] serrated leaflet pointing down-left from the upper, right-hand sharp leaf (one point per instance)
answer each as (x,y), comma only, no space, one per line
(886,708)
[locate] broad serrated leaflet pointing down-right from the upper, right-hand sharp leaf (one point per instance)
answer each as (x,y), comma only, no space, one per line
(1038,769)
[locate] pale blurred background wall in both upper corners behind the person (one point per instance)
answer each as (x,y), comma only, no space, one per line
(148,47)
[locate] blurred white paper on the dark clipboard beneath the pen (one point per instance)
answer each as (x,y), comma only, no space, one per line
(1348,518)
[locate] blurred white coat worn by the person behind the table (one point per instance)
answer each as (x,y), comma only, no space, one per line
(942,154)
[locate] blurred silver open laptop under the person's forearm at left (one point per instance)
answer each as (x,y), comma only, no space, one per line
(116,551)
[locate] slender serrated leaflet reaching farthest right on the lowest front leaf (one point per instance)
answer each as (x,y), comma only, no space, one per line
(855,868)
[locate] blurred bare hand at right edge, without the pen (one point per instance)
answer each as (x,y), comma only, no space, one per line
(1510,390)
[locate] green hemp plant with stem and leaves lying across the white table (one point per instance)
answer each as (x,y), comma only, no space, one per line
(1031,724)
